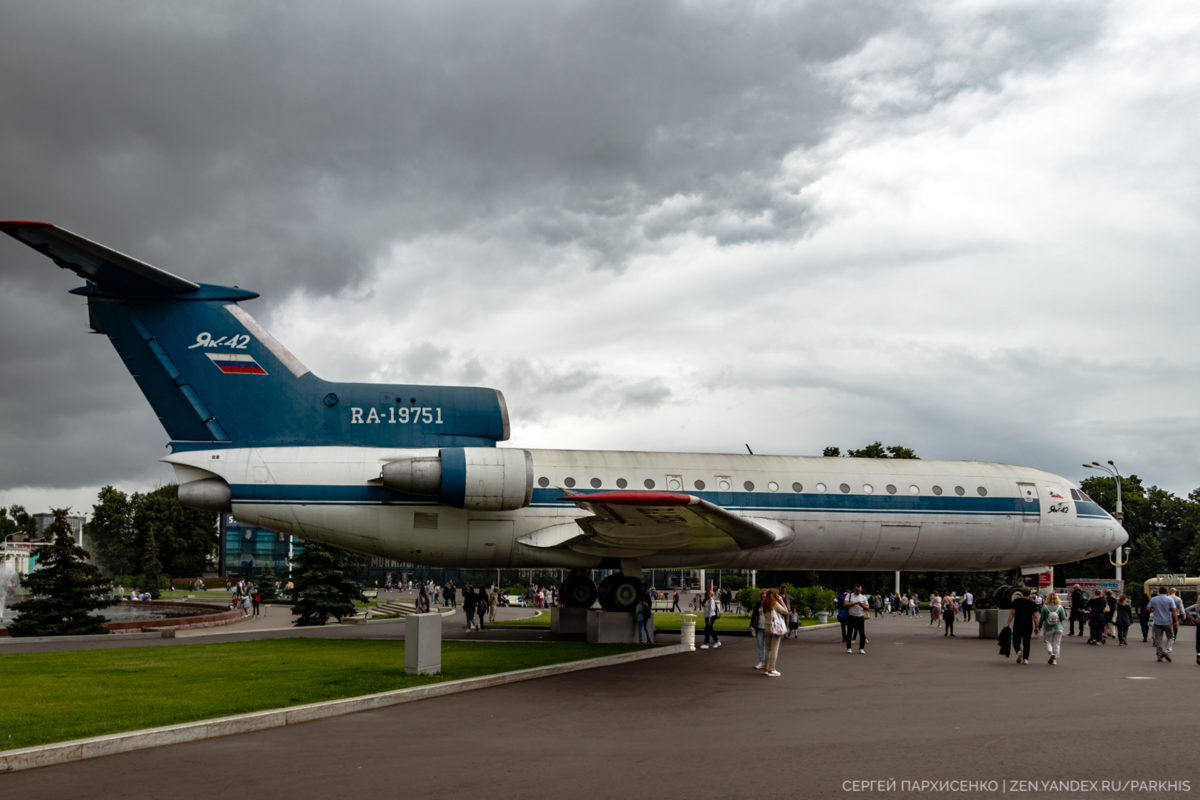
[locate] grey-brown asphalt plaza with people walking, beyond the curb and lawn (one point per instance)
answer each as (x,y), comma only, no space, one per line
(917,707)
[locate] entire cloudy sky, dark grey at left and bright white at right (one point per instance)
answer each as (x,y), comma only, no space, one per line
(967,228)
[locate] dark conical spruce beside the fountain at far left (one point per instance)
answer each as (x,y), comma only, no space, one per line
(65,590)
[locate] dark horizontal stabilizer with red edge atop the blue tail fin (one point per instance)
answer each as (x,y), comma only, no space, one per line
(97,263)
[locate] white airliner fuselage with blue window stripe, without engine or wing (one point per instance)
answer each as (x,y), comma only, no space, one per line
(835,514)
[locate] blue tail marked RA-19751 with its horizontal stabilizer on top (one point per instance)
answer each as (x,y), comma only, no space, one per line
(215,376)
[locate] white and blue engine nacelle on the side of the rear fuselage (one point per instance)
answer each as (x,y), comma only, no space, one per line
(476,479)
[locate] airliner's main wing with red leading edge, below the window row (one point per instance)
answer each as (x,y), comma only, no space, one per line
(647,522)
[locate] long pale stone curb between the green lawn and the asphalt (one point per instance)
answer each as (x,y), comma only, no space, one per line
(122,743)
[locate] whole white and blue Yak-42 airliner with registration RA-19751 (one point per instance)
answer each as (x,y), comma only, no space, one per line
(415,474)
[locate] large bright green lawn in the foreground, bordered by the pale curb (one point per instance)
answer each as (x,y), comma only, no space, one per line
(73,695)
